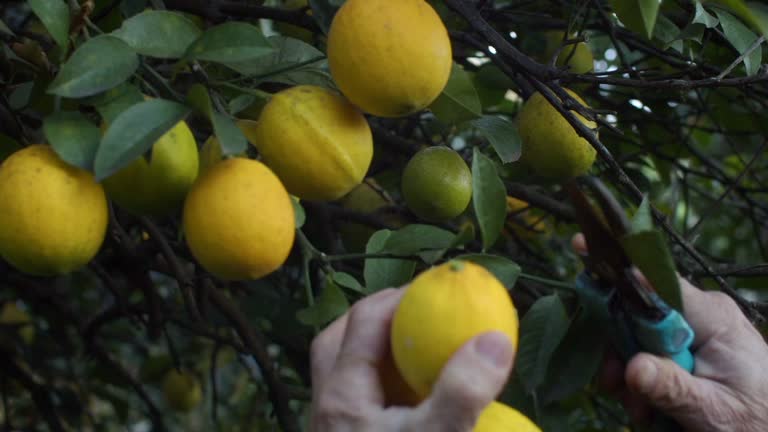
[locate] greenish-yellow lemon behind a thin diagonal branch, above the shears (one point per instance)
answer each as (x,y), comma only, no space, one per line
(552,149)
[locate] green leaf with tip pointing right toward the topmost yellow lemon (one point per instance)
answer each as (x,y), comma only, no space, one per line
(230,42)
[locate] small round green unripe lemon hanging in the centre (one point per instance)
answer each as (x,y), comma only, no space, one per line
(437,184)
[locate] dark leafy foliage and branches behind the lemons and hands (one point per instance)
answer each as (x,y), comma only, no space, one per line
(679,95)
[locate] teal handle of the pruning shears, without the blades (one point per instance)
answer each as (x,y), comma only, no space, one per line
(669,337)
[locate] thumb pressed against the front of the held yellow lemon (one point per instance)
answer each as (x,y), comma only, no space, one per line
(470,381)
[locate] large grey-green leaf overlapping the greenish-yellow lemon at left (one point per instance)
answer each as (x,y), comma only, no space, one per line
(134,132)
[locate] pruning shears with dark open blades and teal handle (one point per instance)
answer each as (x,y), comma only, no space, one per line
(634,315)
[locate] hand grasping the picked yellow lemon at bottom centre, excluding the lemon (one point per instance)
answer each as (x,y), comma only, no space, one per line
(347,393)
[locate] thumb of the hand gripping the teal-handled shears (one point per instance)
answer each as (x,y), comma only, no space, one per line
(666,386)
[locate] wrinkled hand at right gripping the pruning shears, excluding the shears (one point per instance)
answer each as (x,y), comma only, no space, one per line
(728,390)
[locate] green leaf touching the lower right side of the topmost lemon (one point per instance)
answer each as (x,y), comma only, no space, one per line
(459,101)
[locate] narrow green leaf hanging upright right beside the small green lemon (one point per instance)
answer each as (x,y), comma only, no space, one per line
(489,198)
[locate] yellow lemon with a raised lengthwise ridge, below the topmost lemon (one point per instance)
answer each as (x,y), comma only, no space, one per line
(316,142)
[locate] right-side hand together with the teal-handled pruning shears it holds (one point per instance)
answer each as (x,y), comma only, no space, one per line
(728,389)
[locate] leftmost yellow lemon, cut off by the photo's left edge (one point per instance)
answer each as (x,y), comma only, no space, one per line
(53,216)
